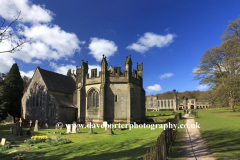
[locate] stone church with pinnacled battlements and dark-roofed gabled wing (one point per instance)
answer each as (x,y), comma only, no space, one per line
(114,96)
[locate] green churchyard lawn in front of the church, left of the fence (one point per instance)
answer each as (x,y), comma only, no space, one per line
(123,145)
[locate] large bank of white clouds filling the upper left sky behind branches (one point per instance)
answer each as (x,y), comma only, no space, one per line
(48,41)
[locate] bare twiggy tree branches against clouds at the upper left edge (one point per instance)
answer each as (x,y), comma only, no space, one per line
(6,33)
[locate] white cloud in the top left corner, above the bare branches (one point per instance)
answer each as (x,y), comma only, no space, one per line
(29,12)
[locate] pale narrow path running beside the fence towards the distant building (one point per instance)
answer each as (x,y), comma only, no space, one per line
(195,147)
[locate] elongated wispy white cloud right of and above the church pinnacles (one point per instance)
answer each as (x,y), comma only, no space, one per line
(151,40)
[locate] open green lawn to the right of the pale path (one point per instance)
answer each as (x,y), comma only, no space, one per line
(220,130)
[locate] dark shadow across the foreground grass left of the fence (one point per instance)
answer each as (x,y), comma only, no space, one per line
(40,154)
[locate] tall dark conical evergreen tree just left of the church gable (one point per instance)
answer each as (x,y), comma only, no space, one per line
(14,82)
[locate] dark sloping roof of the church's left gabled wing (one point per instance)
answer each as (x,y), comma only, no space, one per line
(58,82)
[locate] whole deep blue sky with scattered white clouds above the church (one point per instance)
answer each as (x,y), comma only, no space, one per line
(169,37)
